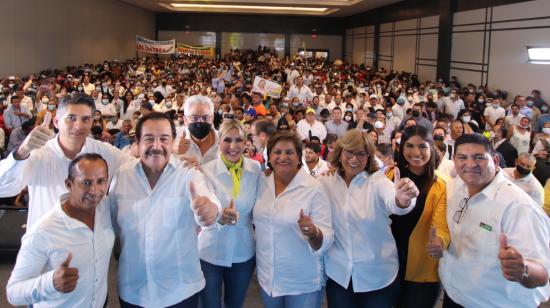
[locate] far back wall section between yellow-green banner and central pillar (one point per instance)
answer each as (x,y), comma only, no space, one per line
(233,40)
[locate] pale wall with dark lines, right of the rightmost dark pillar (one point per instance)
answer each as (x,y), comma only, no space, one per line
(504,64)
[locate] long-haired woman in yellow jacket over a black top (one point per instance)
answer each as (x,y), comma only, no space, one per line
(422,234)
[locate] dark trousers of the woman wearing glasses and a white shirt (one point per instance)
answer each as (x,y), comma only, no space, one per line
(340,297)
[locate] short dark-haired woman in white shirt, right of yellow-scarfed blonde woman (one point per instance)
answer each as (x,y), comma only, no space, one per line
(293,228)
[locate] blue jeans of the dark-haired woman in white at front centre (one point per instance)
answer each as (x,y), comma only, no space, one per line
(306,300)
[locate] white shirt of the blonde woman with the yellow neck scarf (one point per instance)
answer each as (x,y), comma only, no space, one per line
(231,243)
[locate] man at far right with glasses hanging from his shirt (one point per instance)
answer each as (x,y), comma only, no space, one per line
(499,254)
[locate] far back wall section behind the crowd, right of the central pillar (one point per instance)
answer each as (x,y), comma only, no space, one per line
(331,42)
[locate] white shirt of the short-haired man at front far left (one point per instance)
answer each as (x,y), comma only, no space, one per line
(47,244)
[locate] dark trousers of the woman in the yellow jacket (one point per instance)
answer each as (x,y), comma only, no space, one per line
(418,294)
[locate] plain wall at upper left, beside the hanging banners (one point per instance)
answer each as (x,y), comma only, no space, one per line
(36,35)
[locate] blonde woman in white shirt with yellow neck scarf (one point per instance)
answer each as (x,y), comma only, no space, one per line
(227,252)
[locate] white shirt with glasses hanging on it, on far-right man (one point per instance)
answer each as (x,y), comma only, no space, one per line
(470,269)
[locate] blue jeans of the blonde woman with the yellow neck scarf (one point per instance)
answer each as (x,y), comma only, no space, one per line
(235,280)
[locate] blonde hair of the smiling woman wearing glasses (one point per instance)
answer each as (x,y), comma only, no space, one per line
(354,140)
